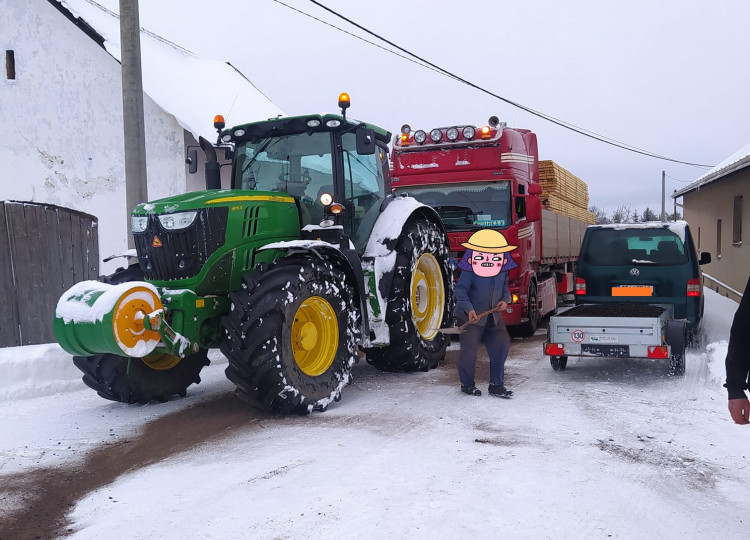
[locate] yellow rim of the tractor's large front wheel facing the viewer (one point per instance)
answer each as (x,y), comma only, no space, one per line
(315,336)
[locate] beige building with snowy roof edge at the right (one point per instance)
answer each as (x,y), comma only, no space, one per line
(718,214)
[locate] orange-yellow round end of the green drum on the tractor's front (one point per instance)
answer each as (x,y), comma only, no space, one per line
(127,321)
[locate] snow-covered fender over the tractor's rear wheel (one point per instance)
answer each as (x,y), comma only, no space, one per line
(380,253)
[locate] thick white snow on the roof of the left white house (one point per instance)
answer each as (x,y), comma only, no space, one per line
(191,88)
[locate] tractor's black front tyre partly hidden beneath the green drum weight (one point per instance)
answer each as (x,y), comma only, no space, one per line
(155,377)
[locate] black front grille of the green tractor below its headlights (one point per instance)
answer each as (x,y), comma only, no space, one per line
(166,255)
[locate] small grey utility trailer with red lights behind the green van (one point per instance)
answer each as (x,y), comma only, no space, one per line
(617,330)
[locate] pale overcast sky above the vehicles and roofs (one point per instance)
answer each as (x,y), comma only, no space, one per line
(671,77)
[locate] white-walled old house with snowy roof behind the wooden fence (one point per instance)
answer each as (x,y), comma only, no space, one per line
(61,132)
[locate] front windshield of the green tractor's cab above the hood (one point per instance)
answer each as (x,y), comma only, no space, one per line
(299,165)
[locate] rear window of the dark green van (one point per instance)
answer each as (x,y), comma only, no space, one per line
(615,247)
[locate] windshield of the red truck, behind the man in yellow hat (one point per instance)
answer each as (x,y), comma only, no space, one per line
(466,206)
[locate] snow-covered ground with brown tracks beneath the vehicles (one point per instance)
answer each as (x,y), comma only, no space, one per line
(605,449)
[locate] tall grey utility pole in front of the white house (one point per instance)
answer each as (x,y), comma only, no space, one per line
(132,109)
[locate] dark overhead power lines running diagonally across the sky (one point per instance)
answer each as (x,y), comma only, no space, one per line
(561,123)
